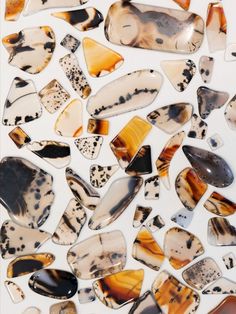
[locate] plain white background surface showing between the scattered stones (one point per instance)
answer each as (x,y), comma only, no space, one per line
(168,204)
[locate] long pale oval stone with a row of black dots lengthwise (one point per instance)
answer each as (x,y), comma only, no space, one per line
(132,91)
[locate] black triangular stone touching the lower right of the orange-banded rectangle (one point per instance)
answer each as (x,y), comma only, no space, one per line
(141,164)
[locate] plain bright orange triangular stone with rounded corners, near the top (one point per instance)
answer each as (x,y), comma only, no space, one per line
(100,59)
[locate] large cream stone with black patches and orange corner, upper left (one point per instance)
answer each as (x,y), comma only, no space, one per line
(31,49)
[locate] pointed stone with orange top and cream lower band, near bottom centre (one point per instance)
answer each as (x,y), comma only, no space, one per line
(146,250)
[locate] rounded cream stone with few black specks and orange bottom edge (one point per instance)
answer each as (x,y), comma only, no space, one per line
(181,247)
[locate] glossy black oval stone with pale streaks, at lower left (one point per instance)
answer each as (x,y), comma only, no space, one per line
(54,283)
